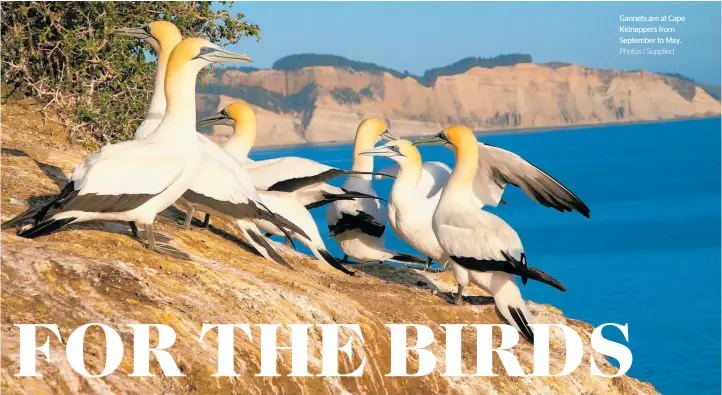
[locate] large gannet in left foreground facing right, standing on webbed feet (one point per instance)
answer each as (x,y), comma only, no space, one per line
(135,180)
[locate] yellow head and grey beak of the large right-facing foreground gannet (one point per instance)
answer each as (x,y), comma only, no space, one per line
(197,53)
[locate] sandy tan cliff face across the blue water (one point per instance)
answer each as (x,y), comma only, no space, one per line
(323,104)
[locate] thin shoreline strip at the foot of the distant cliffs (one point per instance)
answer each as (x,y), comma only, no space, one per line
(501,132)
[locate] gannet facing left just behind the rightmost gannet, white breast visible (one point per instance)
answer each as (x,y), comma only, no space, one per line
(414,195)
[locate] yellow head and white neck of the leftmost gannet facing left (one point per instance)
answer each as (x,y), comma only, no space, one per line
(162,36)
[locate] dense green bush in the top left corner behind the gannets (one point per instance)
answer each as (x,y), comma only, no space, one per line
(64,54)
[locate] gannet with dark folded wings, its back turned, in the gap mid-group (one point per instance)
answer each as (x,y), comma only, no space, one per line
(359,224)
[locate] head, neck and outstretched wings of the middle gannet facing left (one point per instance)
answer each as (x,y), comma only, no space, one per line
(304,179)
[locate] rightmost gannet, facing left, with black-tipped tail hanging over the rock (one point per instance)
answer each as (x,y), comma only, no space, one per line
(483,249)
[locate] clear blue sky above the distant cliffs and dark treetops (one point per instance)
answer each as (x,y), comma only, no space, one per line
(416,36)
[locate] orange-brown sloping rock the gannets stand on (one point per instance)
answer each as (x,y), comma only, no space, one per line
(98,273)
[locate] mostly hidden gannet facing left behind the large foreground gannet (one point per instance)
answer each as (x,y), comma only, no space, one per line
(162,36)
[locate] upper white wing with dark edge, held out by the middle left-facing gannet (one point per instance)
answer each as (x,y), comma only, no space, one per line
(291,173)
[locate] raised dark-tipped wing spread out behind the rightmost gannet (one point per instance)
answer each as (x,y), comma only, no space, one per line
(498,167)
